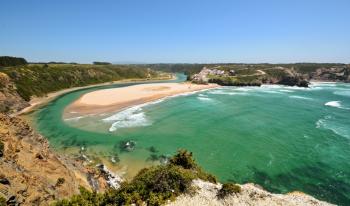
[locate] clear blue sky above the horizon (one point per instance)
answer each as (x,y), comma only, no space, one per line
(251,31)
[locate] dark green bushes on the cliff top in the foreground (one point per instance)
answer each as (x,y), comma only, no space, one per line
(154,185)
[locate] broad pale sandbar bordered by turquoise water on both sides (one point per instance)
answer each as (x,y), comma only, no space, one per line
(107,100)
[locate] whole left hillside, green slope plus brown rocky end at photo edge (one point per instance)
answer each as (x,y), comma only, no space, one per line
(19,84)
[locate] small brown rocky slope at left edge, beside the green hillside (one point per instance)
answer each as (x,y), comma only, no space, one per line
(10,101)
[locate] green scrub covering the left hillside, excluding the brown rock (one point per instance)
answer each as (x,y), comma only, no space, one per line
(38,80)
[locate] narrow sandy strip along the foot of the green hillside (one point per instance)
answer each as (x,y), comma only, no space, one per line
(37,102)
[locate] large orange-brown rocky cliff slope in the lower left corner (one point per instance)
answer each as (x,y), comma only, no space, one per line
(30,173)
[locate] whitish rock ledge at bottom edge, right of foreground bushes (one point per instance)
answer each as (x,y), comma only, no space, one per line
(250,194)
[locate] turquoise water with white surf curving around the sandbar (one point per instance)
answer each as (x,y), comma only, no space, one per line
(283,138)
